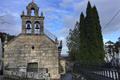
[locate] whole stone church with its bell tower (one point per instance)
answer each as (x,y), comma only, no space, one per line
(33,50)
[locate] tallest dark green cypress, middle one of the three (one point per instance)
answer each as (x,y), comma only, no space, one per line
(89,34)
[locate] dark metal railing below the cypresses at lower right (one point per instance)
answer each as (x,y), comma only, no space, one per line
(95,72)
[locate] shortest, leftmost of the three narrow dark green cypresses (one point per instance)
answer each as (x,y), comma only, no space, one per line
(83,45)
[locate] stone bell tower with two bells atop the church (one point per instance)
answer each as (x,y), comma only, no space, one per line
(32,22)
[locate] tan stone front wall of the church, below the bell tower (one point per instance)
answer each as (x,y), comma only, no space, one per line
(33,48)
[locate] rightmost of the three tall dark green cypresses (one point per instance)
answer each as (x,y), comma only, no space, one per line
(98,37)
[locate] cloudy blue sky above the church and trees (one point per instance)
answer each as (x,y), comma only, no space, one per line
(60,16)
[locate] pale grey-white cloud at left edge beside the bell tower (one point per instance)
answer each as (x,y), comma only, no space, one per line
(8,24)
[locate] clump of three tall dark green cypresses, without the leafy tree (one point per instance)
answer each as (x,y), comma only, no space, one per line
(91,47)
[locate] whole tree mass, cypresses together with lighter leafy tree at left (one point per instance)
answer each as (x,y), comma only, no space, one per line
(85,41)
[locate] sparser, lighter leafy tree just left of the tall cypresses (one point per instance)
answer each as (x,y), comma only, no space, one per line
(73,42)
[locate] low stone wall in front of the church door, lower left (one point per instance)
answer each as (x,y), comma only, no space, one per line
(25,75)
